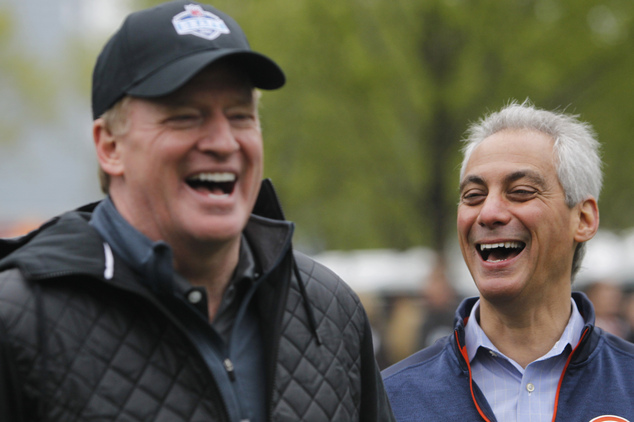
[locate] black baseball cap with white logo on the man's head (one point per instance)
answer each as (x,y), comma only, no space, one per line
(157,50)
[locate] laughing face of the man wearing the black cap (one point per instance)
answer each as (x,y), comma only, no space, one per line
(188,168)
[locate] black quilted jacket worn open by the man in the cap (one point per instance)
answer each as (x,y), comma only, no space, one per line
(78,343)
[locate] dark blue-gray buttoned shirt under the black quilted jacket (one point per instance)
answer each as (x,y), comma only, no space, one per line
(234,333)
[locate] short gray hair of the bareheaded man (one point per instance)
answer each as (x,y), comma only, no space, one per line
(576,150)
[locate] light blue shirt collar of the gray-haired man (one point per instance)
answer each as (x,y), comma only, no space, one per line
(476,338)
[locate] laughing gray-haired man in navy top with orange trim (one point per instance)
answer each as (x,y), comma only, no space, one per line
(526,349)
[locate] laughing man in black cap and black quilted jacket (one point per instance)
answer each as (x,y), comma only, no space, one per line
(179,297)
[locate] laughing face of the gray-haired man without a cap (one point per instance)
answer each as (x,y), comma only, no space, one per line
(516,233)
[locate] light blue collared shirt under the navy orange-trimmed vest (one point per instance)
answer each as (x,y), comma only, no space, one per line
(519,394)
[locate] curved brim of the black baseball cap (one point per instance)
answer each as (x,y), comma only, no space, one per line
(263,72)
